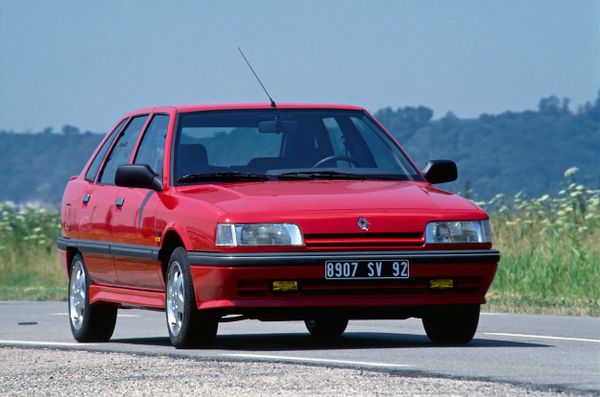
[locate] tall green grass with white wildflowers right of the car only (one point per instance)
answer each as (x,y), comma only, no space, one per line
(550,251)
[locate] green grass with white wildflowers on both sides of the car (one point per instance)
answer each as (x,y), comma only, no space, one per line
(550,249)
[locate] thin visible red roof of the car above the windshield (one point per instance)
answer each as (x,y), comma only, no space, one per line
(241,106)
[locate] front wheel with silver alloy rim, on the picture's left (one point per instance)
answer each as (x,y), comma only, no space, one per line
(188,327)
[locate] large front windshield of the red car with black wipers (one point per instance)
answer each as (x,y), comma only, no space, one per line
(284,144)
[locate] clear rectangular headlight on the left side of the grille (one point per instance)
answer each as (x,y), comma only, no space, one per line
(253,234)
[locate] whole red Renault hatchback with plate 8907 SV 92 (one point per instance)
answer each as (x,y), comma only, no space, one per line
(293,212)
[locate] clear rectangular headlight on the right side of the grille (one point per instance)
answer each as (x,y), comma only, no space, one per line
(458,232)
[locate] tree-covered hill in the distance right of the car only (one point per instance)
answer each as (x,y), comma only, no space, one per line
(506,153)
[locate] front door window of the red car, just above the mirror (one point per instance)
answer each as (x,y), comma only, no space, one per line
(152,148)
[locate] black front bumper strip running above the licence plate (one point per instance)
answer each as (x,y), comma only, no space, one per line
(315,258)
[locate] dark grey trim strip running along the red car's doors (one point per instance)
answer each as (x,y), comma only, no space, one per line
(108,248)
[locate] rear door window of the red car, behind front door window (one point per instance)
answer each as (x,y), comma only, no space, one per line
(122,149)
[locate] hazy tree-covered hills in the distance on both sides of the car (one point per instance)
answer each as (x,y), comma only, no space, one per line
(505,153)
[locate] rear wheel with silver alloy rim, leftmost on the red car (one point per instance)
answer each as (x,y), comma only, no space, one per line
(89,322)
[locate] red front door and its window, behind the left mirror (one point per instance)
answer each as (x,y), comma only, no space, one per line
(134,219)
